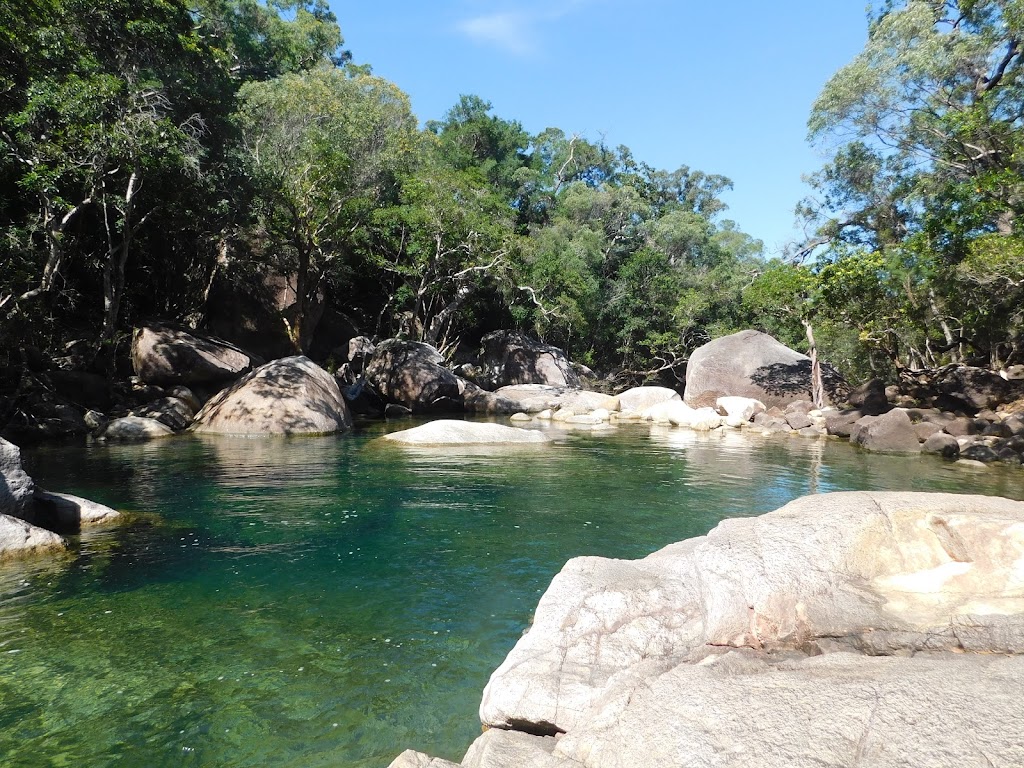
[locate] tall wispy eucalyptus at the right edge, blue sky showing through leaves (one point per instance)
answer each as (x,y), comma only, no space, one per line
(927,172)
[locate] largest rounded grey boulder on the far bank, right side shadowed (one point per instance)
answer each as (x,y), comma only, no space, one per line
(754,365)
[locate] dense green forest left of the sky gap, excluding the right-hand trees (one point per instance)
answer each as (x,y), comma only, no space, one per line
(154,148)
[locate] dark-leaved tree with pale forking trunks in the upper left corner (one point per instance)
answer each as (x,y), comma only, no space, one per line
(109,108)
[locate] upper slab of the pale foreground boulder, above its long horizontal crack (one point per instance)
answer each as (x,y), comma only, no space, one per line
(868,572)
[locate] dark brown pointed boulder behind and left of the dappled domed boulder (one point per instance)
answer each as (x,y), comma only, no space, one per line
(163,355)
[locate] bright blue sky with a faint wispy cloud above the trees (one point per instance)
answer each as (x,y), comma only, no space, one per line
(724,88)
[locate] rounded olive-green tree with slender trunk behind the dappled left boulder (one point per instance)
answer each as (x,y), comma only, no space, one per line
(326,149)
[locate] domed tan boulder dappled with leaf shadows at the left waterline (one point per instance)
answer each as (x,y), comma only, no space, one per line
(291,396)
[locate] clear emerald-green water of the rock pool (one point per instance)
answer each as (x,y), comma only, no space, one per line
(332,602)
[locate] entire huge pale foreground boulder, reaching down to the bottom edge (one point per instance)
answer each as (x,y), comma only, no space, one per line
(825,633)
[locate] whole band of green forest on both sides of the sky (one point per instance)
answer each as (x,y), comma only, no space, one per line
(162,160)
